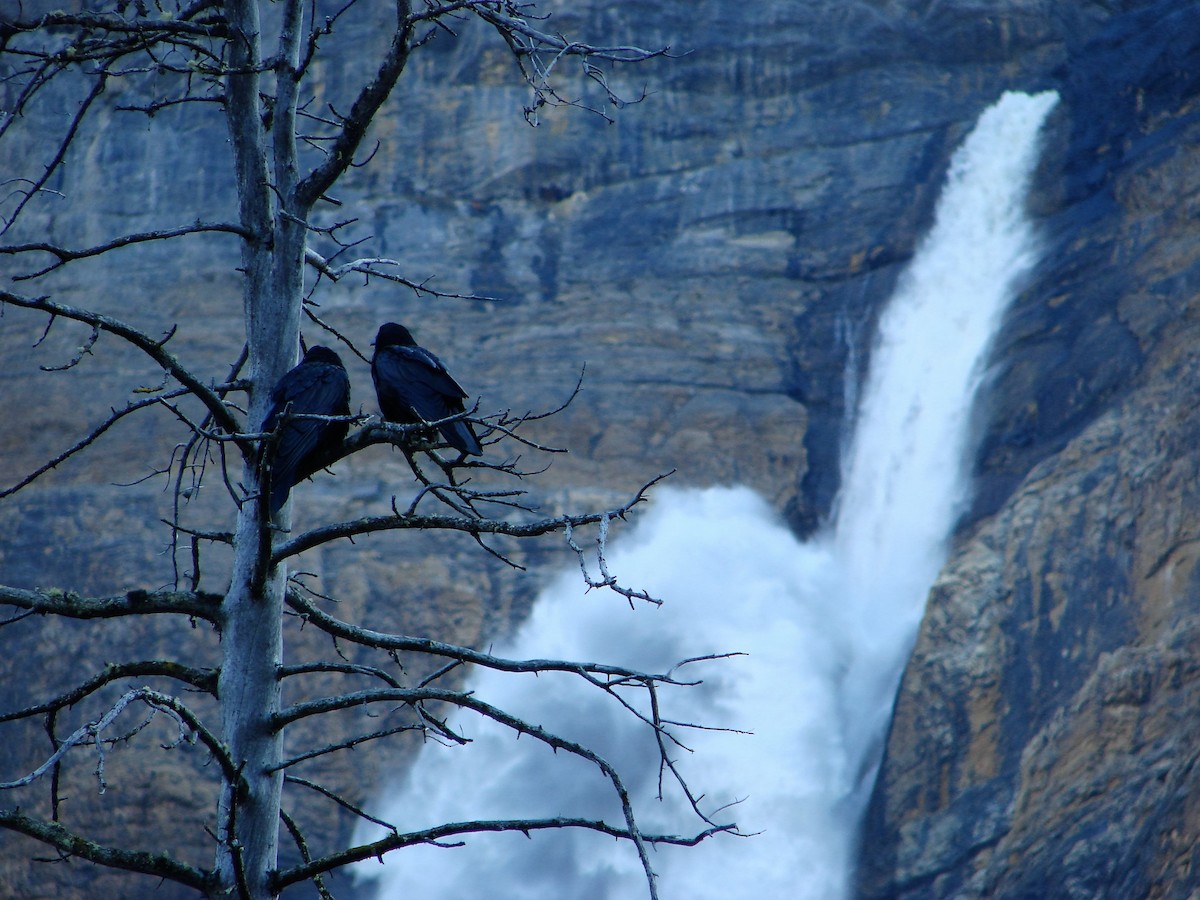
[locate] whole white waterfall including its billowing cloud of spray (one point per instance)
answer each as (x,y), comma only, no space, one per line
(826,625)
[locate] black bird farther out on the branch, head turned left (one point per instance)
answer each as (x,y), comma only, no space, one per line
(413,387)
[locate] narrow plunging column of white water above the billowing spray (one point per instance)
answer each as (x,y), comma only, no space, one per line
(904,479)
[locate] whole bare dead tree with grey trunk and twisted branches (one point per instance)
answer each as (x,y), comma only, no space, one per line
(254,62)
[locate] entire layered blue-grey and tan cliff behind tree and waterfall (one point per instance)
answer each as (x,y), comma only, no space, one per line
(712,257)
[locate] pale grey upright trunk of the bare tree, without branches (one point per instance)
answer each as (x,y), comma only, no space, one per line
(273,259)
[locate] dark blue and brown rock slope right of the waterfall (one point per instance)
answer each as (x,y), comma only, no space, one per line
(1043,741)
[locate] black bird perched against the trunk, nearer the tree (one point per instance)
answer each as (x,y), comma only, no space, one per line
(319,386)
